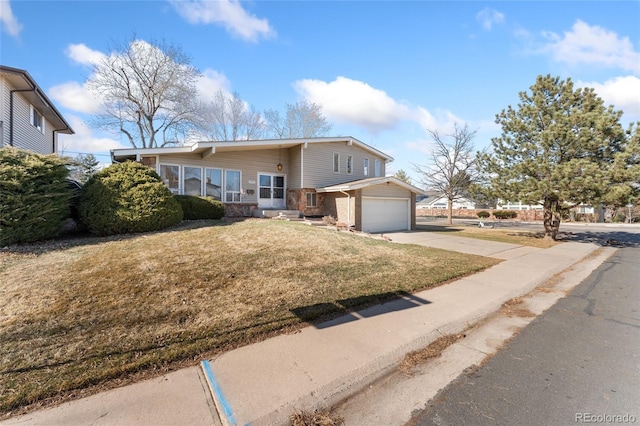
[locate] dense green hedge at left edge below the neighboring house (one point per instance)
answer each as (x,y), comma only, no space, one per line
(34,196)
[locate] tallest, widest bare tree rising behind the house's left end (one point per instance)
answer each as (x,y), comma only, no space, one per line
(148,92)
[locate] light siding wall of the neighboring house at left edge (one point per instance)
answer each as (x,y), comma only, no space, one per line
(25,134)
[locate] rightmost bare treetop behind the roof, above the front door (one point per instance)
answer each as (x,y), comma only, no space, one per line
(303,119)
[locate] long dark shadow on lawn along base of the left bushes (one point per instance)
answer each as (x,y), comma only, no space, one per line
(84,238)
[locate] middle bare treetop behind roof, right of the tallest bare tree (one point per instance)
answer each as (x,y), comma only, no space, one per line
(228,118)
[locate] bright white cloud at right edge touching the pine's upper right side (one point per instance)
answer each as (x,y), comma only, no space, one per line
(621,92)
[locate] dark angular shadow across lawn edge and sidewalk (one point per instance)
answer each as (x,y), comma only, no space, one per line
(329,314)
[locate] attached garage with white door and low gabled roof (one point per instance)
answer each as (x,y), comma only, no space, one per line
(372,205)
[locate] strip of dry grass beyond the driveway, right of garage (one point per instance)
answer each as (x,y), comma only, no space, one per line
(513,236)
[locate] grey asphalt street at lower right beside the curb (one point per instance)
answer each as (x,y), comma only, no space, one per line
(579,362)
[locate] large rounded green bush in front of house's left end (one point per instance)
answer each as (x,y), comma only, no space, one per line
(126,198)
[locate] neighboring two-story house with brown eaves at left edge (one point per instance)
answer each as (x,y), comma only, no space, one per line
(28,119)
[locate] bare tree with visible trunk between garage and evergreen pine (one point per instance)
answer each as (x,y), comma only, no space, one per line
(452,167)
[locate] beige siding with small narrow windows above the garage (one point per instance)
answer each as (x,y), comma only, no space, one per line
(318,164)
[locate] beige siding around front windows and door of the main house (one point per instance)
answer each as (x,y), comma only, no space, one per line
(250,163)
